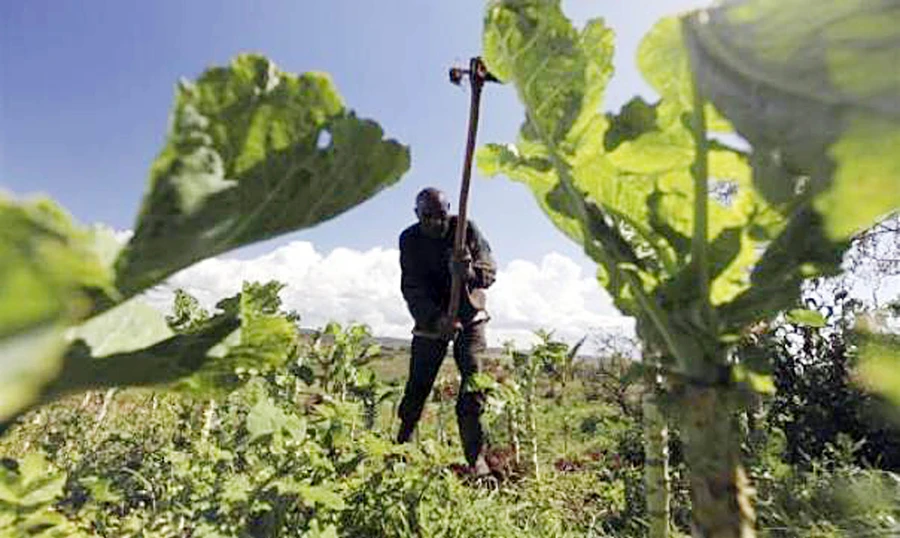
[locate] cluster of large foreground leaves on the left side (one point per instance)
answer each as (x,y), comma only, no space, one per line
(242,162)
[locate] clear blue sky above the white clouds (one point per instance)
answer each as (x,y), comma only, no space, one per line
(86,86)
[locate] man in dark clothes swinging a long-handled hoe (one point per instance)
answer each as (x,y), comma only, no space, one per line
(426,262)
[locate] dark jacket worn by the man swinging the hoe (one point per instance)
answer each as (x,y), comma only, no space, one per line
(425,274)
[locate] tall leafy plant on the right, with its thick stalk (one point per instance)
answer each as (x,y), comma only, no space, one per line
(695,239)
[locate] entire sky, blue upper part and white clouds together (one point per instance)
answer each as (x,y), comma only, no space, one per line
(86,88)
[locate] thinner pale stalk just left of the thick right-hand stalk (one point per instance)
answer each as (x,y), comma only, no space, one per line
(656,463)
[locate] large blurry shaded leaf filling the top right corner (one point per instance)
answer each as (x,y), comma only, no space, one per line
(814,86)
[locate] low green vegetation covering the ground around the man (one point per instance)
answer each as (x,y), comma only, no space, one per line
(283,454)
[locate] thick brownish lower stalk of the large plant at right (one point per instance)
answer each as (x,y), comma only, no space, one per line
(720,491)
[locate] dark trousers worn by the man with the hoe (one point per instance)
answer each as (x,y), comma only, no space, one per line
(425,361)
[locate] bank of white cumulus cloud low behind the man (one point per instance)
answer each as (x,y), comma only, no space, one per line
(364,286)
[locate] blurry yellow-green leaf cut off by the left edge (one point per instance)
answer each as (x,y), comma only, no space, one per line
(50,275)
